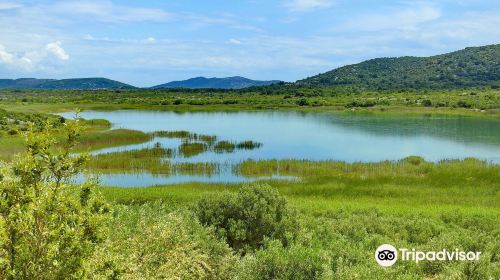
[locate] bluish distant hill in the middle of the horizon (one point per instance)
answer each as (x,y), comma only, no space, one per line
(220,83)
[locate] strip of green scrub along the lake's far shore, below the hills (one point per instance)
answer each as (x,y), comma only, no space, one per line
(264,97)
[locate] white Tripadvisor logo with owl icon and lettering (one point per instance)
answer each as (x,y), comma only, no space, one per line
(387,255)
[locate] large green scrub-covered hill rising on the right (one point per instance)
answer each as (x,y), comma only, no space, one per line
(470,67)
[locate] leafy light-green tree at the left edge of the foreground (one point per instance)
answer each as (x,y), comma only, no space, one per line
(48,227)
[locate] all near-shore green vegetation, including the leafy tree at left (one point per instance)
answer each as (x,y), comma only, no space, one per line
(325,226)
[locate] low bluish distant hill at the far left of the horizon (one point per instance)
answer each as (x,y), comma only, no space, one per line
(82,83)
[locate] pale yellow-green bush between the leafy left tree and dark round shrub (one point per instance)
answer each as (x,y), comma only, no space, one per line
(150,242)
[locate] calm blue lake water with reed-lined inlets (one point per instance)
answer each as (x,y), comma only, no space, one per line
(311,136)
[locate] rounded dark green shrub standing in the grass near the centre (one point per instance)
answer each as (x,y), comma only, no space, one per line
(245,219)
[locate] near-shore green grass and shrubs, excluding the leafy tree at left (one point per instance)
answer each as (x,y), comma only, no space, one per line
(324,226)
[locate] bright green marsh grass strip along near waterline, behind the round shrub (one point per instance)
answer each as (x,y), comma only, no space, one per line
(467,186)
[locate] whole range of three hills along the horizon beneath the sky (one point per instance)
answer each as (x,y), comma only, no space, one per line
(470,67)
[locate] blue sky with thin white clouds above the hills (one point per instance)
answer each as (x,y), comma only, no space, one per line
(150,42)
